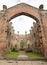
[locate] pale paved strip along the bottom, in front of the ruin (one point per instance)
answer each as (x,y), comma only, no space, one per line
(10,62)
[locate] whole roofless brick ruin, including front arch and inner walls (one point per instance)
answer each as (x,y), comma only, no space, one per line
(36,40)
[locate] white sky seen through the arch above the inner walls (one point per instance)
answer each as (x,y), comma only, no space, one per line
(22,23)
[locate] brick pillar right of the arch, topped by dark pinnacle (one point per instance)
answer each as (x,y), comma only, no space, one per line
(42,24)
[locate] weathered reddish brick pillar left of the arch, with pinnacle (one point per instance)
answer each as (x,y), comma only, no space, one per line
(3,34)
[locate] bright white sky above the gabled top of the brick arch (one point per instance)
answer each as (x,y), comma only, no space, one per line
(34,3)
